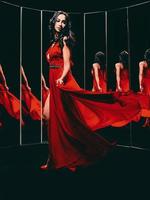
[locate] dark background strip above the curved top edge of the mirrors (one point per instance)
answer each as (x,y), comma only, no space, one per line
(76,6)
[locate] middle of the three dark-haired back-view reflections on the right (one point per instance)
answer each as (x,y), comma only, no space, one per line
(122,73)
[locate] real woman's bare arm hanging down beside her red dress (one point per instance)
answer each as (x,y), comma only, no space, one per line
(67,66)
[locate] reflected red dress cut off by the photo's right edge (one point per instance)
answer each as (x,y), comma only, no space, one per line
(144,97)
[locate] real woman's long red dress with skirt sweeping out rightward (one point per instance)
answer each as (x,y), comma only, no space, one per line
(76,114)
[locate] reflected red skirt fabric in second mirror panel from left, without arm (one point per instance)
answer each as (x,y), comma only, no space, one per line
(32,103)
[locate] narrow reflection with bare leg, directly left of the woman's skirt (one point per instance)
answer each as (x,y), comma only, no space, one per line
(45,99)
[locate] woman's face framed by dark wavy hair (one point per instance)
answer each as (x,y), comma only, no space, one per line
(60,23)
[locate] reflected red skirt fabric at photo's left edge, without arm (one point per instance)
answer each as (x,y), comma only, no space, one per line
(10,102)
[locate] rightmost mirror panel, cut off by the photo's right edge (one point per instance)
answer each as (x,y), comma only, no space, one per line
(139,42)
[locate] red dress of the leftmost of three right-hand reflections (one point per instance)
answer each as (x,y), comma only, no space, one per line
(102,81)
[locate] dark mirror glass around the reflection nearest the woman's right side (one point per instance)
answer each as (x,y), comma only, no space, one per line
(95,41)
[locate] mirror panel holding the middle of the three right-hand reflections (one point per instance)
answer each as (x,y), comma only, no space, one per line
(117,42)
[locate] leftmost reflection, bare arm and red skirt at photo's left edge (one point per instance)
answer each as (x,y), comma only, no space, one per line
(7,99)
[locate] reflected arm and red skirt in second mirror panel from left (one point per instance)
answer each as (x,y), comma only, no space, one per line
(32,104)
